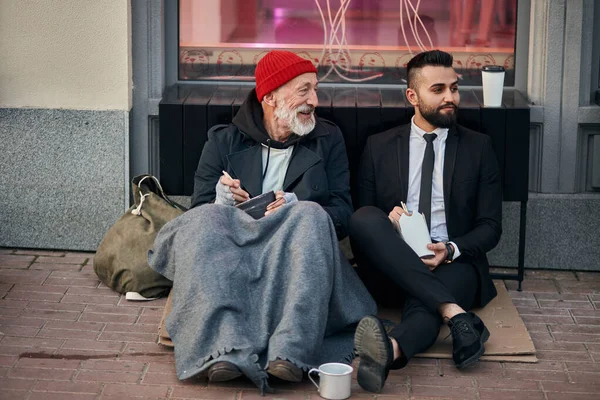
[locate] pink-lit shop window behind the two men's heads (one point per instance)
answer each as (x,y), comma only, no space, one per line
(353,41)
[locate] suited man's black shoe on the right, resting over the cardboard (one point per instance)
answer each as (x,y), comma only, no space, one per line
(468,336)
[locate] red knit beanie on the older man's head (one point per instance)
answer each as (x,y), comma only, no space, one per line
(278,67)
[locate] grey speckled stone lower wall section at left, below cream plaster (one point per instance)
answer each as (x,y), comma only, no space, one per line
(63,176)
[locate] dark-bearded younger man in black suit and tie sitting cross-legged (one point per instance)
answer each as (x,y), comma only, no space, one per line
(450,174)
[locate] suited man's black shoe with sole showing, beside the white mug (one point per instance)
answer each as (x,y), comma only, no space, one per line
(376,353)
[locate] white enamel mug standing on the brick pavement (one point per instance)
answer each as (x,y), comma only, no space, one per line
(335,380)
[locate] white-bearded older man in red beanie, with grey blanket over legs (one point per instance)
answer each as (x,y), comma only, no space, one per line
(273,296)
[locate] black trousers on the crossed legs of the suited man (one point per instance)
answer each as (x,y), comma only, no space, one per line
(396,276)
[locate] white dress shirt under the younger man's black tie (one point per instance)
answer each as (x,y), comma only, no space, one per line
(416,152)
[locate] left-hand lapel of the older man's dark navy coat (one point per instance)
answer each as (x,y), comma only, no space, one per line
(247,167)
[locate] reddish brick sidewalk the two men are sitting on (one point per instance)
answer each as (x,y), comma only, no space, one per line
(63,335)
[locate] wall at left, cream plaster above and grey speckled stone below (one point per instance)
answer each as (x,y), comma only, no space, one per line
(65,97)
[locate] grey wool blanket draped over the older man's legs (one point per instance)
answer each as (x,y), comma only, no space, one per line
(251,291)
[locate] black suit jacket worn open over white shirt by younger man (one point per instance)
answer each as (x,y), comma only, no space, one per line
(472,190)
